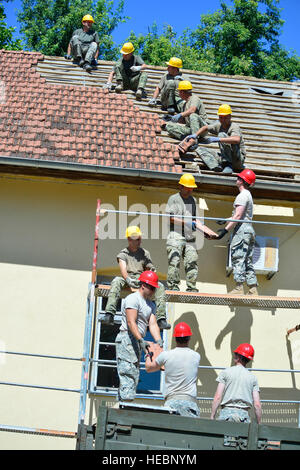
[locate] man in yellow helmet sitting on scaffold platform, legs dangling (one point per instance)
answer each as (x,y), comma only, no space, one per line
(134,260)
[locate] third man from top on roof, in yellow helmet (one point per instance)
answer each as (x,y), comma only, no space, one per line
(168,87)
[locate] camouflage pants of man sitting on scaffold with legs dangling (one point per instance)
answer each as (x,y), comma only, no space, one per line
(118,283)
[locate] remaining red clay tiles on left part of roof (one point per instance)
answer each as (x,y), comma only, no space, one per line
(80,124)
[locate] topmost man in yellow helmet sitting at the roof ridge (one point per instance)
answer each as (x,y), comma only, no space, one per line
(84,44)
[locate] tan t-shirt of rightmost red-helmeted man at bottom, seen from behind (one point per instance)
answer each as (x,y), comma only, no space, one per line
(239,386)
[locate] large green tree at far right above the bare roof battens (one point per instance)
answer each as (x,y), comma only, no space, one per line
(244,40)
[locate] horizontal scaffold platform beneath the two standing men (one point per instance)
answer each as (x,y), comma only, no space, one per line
(258,301)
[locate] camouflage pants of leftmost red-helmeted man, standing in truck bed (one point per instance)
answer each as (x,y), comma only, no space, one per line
(128,355)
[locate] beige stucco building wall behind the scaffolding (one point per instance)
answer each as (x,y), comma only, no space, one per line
(46,247)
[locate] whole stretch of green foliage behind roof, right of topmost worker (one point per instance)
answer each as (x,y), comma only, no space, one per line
(238,40)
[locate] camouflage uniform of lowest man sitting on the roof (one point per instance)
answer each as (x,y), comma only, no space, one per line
(229,154)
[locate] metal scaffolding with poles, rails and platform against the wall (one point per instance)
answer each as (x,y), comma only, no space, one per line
(99,290)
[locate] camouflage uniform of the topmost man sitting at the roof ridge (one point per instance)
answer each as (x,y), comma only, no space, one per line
(84,44)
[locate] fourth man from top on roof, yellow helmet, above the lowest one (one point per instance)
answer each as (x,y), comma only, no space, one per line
(192,115)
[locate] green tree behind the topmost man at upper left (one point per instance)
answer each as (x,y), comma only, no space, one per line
(47,25)
